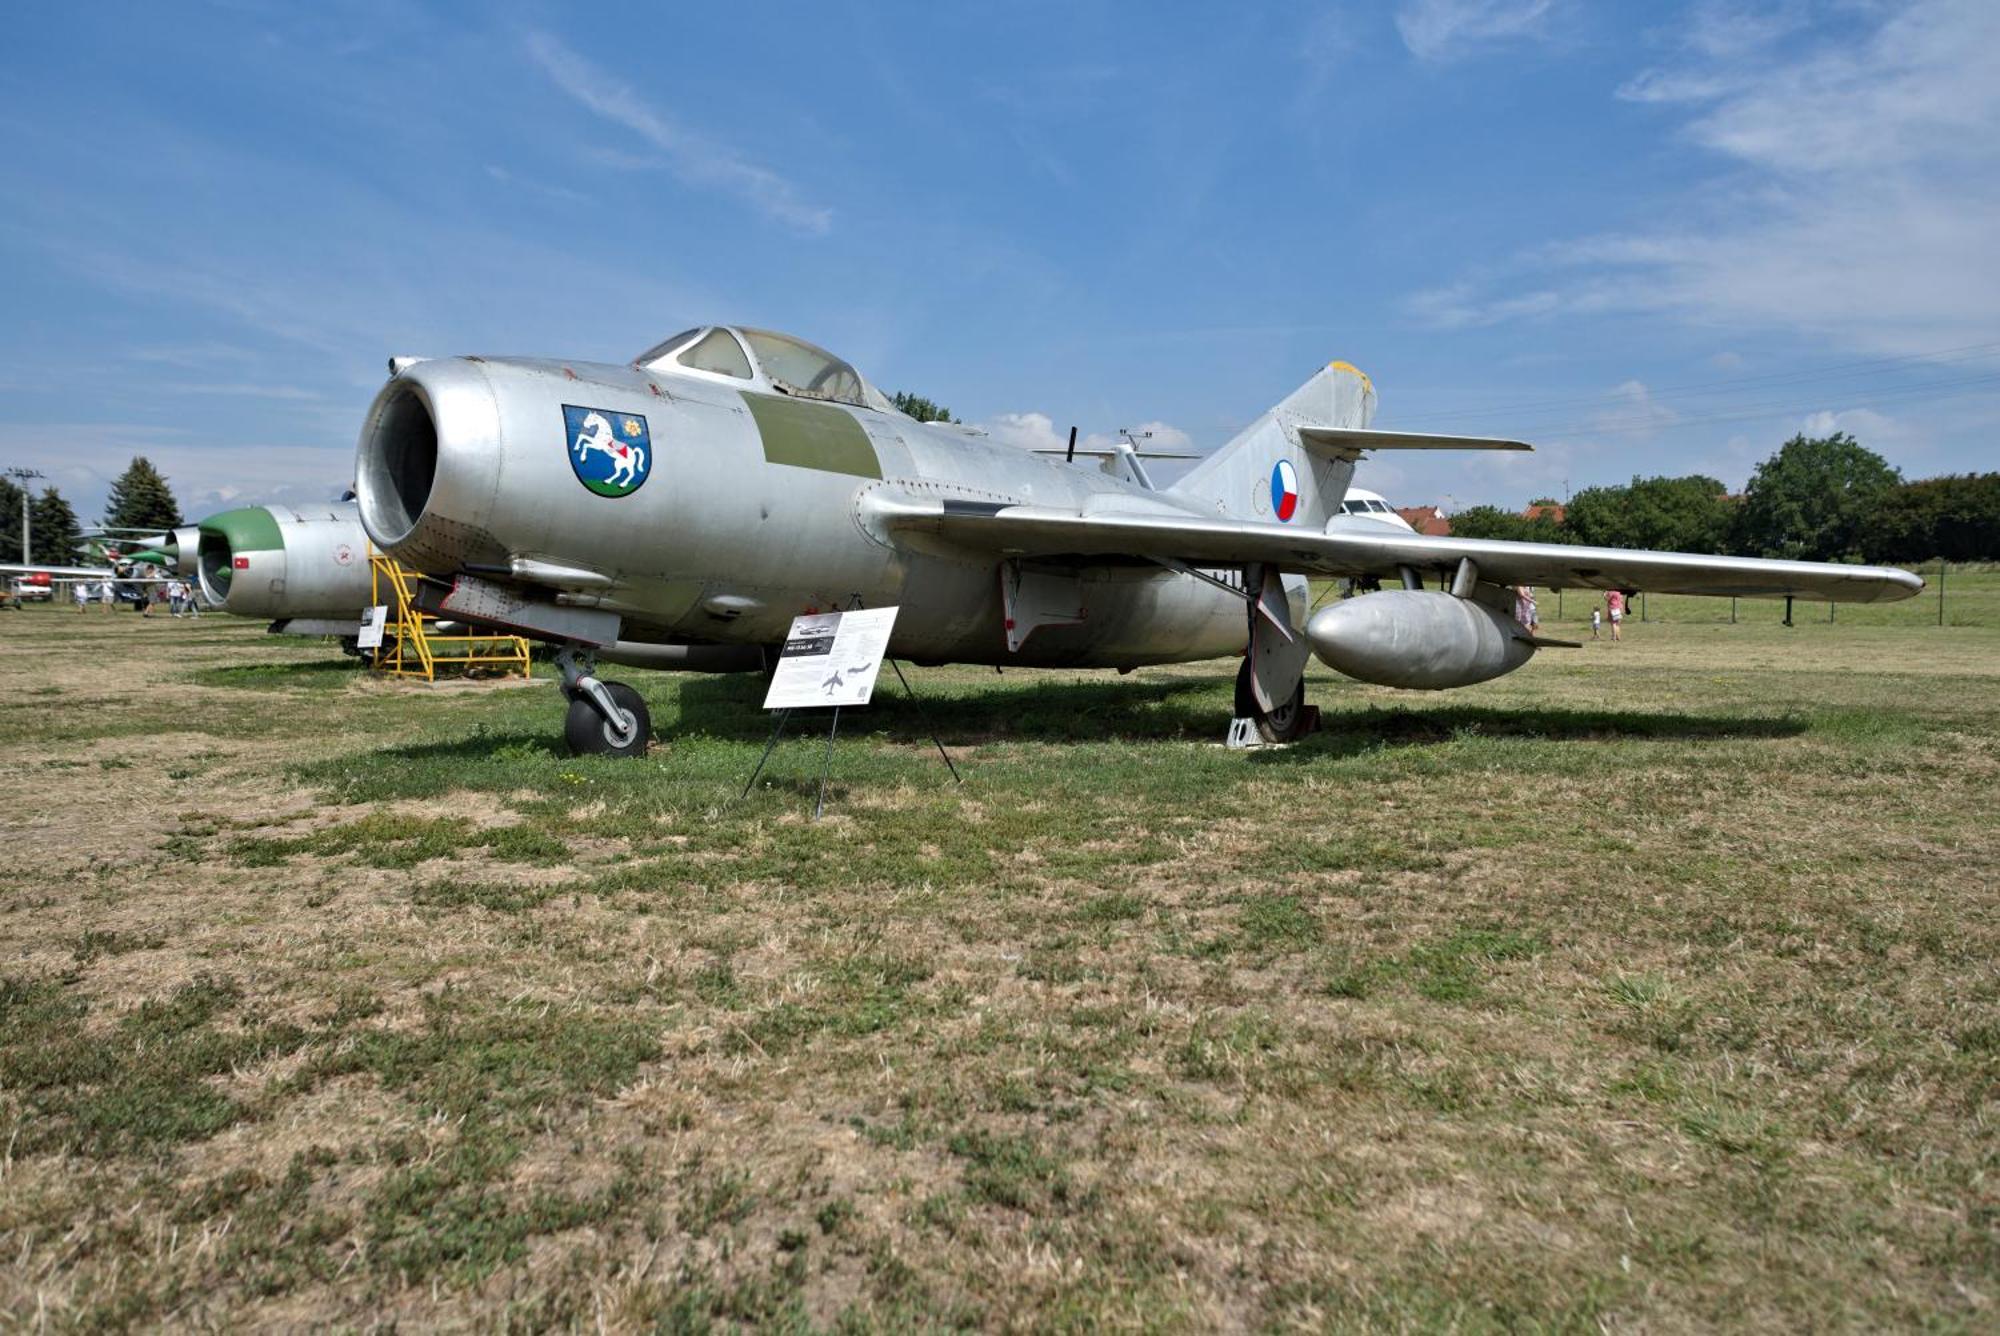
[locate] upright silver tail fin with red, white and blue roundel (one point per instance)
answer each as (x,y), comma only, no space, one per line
(1269,475)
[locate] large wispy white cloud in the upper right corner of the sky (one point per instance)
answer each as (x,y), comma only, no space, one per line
(1863,181)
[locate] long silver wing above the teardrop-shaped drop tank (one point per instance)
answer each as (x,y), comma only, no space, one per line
(1213,543)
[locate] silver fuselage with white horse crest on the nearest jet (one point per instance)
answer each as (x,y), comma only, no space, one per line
(751,509)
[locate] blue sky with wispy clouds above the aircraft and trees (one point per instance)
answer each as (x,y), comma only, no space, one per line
(1651,239)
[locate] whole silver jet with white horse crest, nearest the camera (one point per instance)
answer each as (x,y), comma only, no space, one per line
(681,511)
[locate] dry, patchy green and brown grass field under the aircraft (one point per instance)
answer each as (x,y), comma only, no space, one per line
(1653,987)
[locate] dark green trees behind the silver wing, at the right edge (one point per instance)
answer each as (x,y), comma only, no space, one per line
(1821,499)
